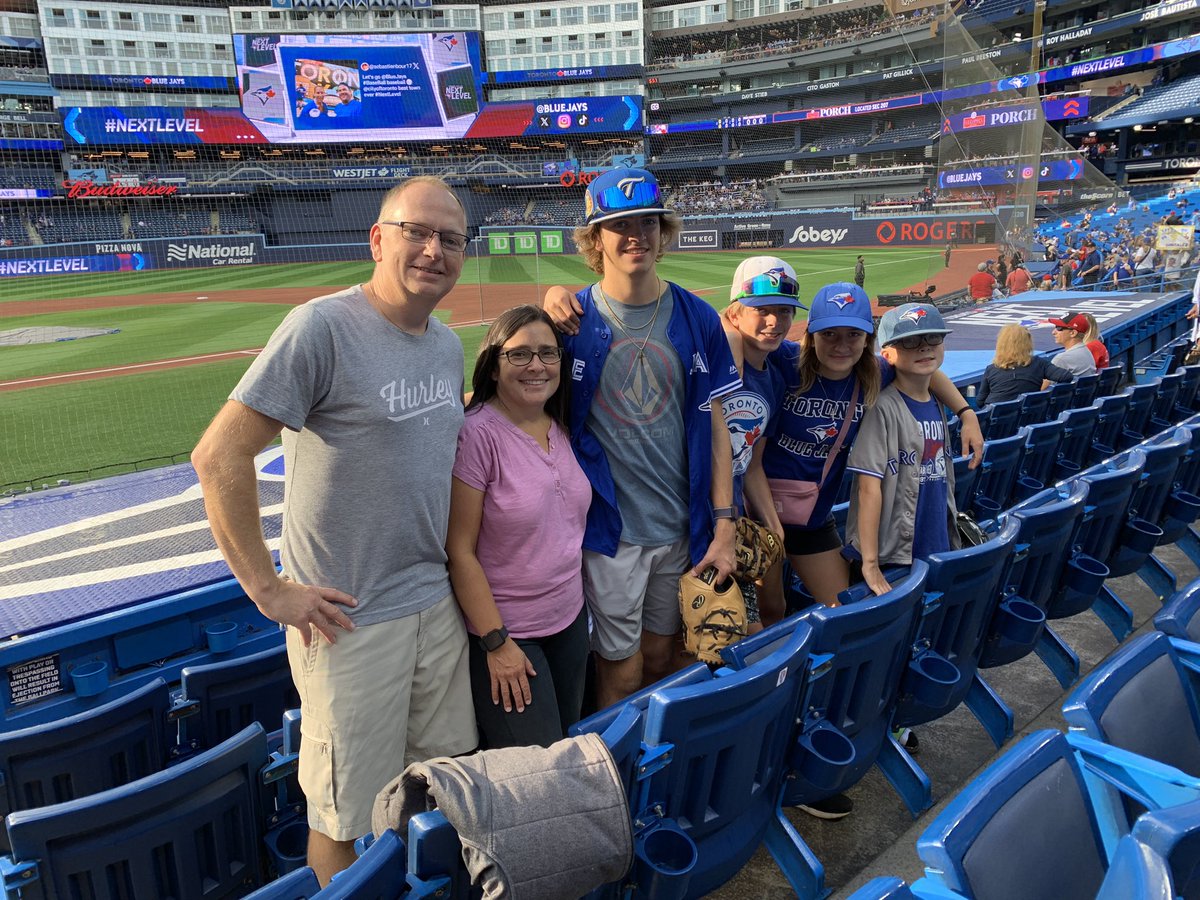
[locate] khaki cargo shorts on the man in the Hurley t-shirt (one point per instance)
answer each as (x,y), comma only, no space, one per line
(382,698)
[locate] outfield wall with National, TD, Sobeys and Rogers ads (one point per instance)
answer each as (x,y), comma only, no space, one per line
(772,231)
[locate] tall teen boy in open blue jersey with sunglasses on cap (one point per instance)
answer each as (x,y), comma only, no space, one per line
(650,365)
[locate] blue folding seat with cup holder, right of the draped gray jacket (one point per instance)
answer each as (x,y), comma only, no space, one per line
(723,781)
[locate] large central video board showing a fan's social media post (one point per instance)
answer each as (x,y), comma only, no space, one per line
(337,88)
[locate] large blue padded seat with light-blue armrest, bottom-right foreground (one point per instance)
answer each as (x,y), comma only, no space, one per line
(1036,825)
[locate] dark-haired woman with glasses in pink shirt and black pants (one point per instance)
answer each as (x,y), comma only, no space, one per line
(519,503)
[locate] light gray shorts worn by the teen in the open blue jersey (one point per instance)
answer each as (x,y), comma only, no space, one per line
(637,590)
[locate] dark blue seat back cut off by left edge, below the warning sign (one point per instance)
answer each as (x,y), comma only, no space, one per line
(85,754)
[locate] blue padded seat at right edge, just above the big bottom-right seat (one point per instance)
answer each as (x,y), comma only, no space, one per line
(1144,699)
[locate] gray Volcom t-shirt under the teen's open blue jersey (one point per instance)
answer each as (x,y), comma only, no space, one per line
(638,418)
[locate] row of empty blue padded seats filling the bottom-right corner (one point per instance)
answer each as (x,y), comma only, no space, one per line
(1109,811)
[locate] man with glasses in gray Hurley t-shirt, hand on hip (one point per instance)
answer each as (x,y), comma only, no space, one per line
(367,389)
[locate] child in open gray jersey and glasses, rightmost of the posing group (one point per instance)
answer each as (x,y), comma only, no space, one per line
(904,475)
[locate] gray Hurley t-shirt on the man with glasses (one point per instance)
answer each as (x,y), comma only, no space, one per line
(373,418)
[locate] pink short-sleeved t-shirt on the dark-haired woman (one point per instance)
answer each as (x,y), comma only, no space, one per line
(531,538)
